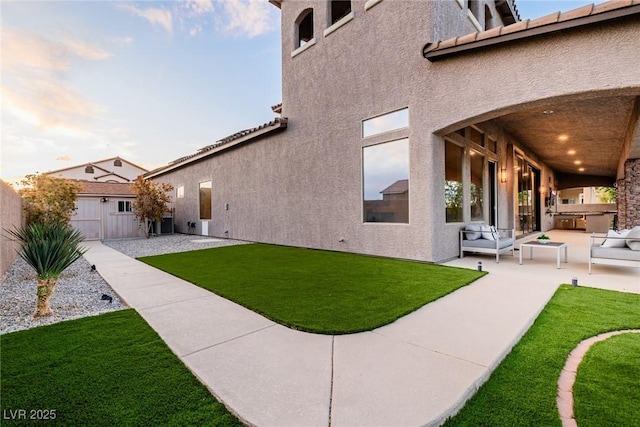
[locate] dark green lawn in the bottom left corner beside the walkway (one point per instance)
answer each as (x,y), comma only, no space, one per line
(108,370)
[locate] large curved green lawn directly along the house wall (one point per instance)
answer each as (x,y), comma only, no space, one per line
(312,290)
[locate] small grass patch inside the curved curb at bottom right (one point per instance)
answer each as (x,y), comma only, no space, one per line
(607,389)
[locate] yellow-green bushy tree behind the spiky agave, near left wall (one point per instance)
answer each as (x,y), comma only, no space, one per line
(49,199)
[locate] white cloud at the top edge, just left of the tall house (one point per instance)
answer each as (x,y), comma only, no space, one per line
(251,18)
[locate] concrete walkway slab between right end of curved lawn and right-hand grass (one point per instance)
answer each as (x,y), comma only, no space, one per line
(477,323)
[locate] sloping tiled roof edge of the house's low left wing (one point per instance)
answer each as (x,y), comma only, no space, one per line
(279,123)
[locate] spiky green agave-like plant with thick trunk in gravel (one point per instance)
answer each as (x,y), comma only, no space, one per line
(49,248)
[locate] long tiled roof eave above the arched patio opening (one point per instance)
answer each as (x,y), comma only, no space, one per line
(440,54)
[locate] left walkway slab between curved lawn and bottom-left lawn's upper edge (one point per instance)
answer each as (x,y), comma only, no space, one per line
(209,321)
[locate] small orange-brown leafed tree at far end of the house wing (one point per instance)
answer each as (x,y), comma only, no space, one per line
(152,201)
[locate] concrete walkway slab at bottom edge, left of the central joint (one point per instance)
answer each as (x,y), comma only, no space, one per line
(272,377)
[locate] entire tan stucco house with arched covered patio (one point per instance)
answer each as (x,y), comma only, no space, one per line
(480,115)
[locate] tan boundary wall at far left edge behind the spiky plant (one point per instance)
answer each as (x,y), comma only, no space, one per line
(11,216)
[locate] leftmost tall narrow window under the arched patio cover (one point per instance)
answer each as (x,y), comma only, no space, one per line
(453,201)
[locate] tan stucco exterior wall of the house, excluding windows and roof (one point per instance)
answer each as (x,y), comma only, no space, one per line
(303,187)
